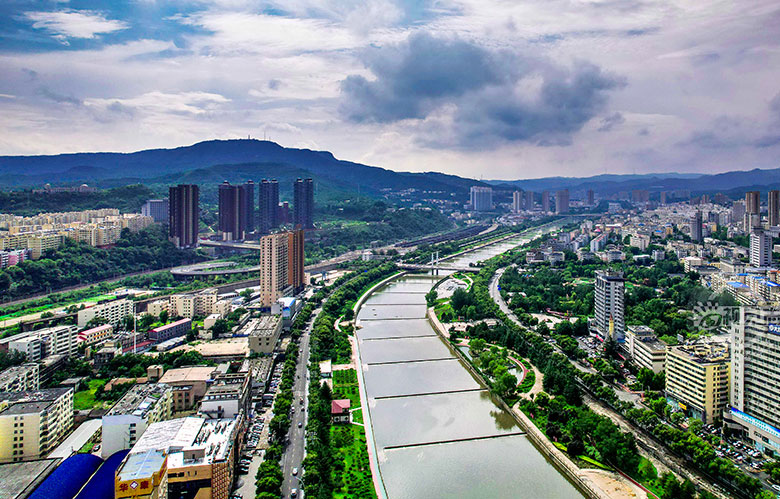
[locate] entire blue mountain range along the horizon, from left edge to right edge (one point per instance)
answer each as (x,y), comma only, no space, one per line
(235,160)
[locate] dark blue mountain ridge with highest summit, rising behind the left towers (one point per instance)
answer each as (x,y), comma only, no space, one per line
(172,164)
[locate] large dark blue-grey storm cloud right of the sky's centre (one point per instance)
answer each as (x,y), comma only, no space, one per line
(498,96)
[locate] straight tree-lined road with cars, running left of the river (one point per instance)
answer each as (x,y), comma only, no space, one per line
(296,447)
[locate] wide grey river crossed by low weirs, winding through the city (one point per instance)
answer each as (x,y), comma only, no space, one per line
(436,431)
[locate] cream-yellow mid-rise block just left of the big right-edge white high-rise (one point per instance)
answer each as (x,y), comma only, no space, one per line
(698,379)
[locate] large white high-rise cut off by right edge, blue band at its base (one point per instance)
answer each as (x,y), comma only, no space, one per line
(755,381)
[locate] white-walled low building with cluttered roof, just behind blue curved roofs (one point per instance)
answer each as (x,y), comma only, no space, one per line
(141,406)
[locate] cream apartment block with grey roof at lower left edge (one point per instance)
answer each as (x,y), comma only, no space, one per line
(32,423)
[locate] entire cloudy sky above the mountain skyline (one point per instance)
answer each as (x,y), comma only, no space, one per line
(481,88)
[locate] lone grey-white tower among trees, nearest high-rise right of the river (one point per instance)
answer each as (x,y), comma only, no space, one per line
(610,304)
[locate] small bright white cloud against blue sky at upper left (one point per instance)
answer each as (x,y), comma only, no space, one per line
(75,23)
